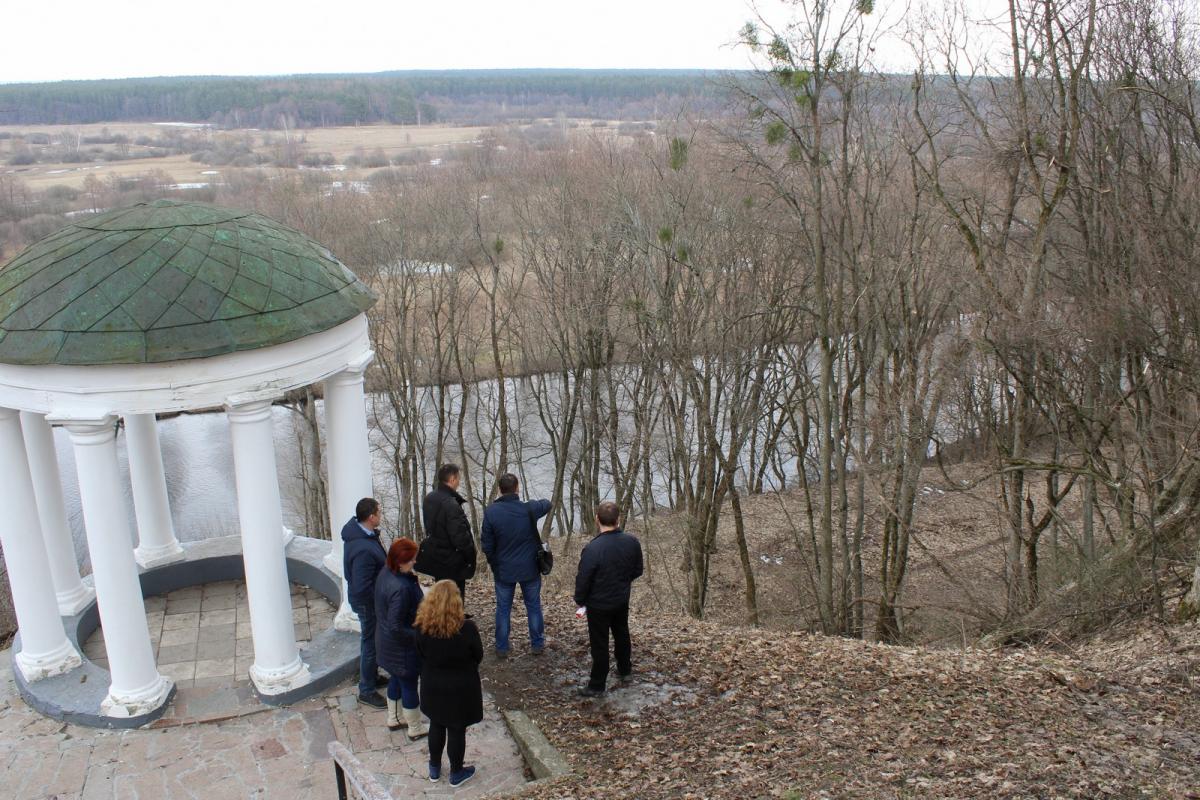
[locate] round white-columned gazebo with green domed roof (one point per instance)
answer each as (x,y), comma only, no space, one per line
(163,308)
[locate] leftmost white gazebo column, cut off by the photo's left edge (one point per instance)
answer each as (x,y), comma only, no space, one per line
(45,648)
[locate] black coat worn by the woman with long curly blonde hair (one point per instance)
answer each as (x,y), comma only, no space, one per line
(451,690)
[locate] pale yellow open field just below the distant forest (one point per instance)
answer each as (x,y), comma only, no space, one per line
(341,142)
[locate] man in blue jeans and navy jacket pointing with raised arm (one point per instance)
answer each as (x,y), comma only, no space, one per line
(511,542)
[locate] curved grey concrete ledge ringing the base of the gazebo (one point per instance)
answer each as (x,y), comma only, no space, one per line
(76,696)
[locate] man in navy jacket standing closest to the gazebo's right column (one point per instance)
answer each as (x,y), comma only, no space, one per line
(363,557)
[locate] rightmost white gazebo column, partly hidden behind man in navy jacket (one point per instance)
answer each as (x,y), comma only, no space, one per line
(350,465)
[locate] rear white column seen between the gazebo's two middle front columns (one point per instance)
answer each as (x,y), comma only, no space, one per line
(157,532)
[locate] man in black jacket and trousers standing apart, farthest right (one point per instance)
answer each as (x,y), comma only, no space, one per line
(609,567)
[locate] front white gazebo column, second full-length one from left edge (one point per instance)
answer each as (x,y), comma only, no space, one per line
(136,687)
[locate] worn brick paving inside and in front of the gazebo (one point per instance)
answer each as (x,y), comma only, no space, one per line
(217,742)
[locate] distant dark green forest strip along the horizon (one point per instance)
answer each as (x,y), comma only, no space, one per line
(481,98)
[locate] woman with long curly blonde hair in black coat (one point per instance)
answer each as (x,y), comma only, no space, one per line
(452,696)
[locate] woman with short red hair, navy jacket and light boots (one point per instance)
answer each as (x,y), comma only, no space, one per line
(398,597)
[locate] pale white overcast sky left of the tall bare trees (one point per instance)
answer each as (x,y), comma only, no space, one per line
(75,40)
